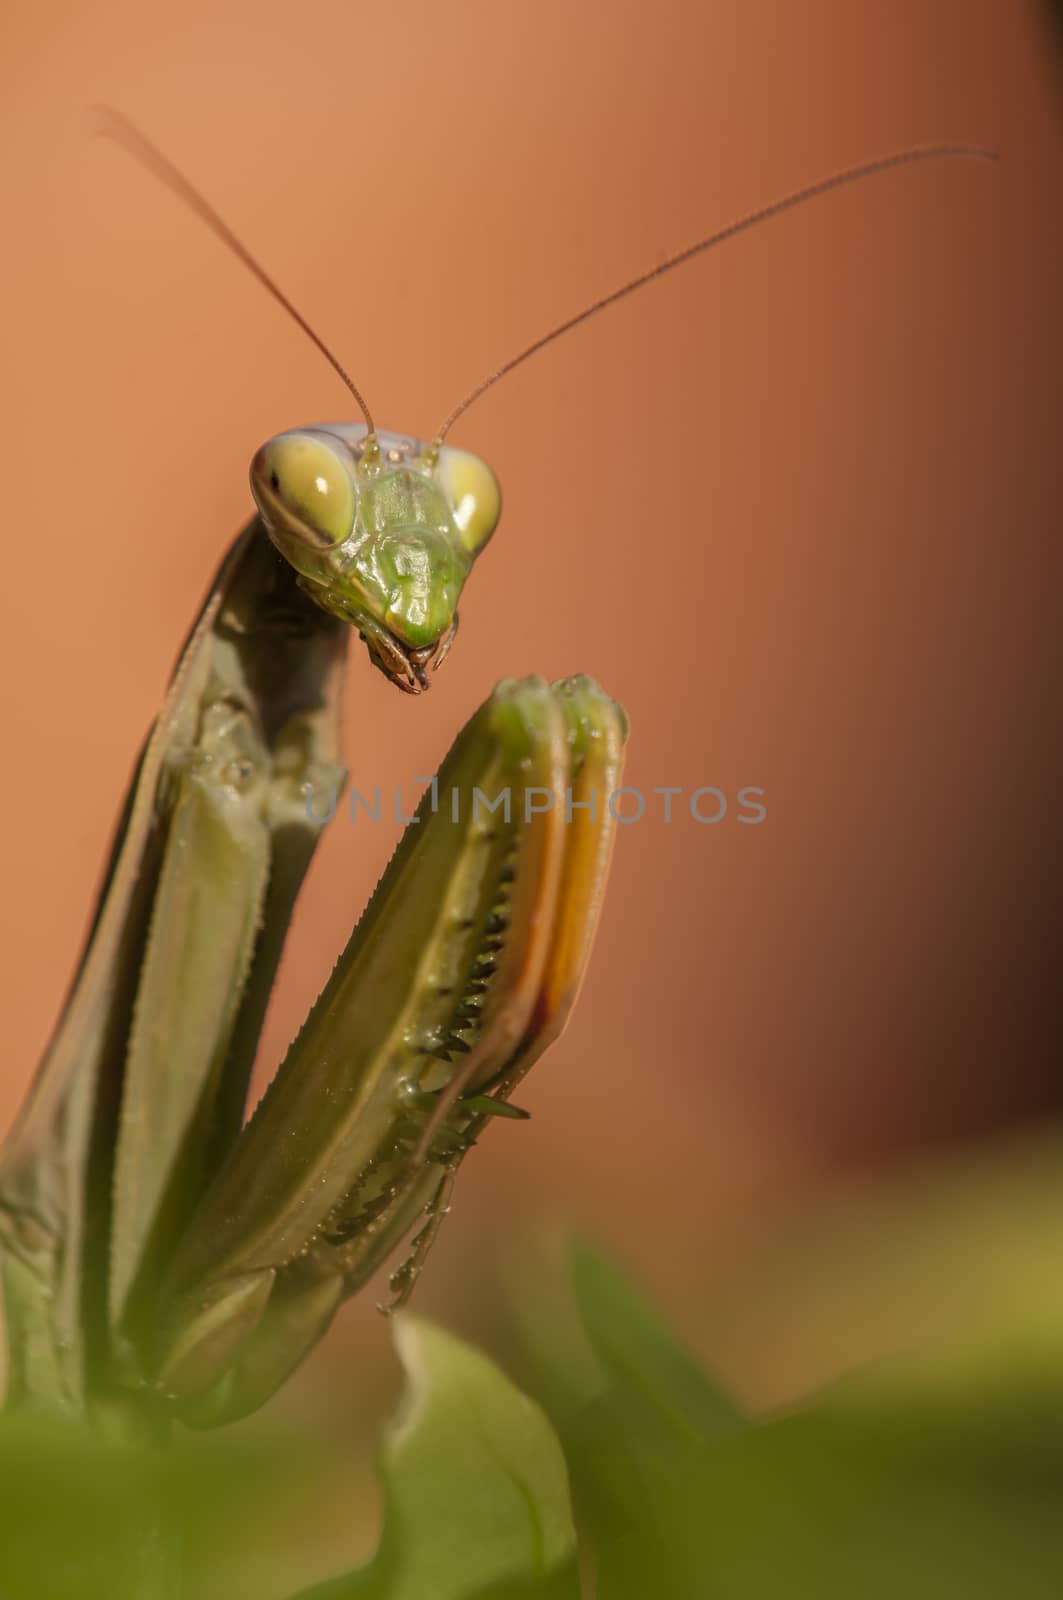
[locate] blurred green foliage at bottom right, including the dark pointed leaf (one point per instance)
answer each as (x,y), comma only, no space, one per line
(883,1487)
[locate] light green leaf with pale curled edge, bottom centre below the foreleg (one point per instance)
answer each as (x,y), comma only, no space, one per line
(476,1492)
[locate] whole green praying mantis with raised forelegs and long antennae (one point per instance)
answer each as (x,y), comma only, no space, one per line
(158,1252)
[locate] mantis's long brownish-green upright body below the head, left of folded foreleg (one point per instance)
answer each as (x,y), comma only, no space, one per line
(143,1086)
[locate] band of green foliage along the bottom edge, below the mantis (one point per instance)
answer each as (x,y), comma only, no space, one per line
(894,1484)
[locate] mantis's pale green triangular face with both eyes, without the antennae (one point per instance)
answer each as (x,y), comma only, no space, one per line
(383,538)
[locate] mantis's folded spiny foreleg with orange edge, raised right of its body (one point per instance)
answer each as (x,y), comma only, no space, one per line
(462,972)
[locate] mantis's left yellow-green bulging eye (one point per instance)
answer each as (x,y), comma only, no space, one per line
(307,479)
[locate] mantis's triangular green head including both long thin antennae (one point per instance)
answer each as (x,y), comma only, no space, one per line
(383,530)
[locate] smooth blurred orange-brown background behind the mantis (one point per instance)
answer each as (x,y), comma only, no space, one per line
(796,506)
